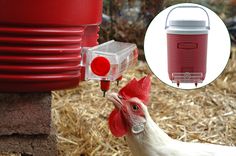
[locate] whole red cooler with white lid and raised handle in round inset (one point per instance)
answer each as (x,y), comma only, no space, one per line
(187,47)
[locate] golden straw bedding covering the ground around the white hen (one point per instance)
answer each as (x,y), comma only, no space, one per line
(202,115)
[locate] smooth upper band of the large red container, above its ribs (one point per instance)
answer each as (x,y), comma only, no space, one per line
(51,12)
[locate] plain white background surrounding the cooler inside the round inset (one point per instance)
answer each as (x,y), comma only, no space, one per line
(155,48)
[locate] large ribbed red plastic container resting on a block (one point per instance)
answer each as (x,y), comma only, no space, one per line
(41,41)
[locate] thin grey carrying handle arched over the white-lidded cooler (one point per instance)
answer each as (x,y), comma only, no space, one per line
(187,6)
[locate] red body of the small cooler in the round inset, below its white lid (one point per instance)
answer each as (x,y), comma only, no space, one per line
(187,57)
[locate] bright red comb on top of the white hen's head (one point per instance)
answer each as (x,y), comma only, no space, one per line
(139,89)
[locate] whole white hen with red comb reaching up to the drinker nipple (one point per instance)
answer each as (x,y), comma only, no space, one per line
(131,118)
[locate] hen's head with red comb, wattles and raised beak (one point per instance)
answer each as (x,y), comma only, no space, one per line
(130,107)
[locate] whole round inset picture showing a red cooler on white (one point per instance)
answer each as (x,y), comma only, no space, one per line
(187,46)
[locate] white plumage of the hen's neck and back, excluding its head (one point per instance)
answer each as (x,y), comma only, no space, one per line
(155,142)
